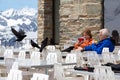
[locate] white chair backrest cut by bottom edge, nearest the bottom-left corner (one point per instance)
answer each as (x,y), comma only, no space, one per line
(15,75)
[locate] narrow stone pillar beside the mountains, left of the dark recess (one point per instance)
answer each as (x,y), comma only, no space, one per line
(45,24)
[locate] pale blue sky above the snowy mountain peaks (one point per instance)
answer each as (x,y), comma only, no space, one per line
(17,4)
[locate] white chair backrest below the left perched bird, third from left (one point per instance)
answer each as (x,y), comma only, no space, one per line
(35,57)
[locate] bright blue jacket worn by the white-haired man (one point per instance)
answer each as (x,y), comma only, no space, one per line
(98,47)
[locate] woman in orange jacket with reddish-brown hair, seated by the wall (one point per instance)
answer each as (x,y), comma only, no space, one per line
(86,41)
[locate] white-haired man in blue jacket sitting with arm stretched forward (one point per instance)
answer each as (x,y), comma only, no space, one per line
(105,41)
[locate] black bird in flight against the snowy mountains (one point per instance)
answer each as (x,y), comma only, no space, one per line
(20,35)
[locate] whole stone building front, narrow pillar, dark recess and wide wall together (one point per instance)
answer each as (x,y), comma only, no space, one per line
(63,20)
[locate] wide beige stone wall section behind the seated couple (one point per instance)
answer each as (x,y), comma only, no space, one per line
(77,15)
